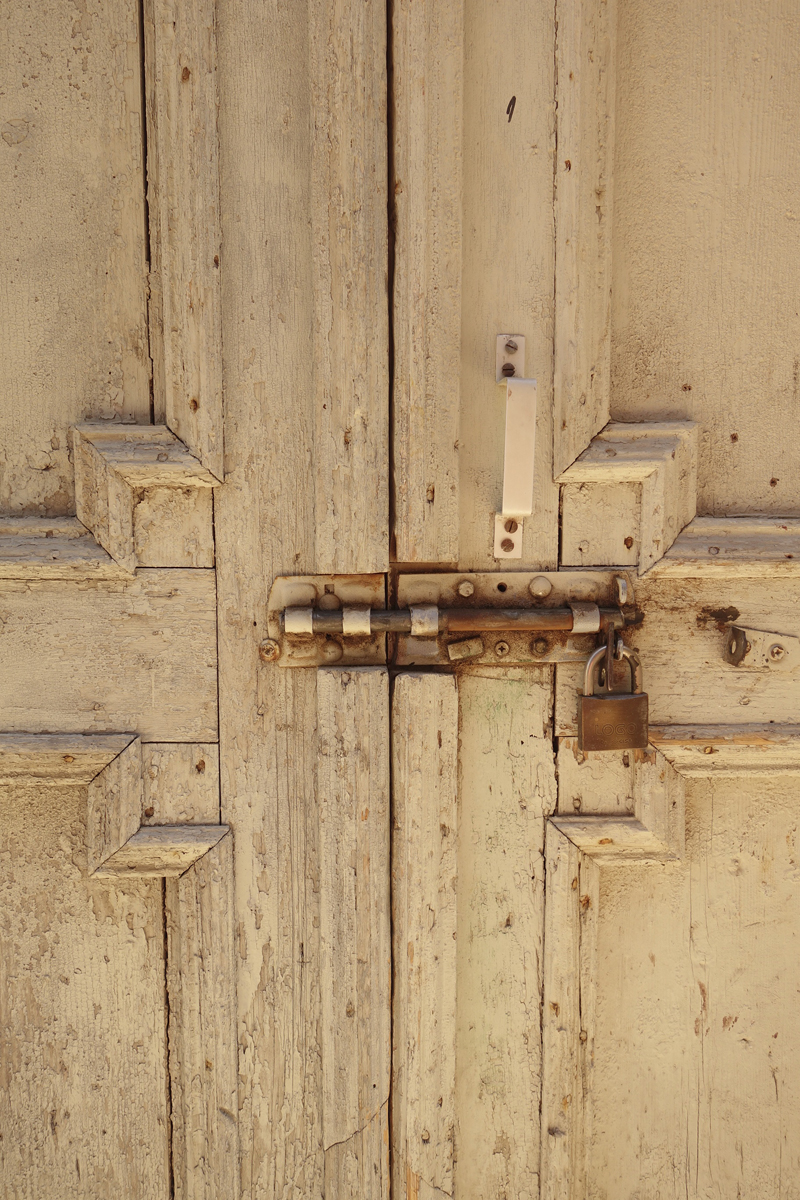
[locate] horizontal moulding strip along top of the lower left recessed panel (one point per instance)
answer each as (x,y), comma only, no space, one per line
(57,760)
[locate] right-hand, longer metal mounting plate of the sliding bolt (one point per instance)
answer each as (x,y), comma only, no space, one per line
(502,590)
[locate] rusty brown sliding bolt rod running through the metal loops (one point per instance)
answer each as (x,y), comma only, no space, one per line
(468,621)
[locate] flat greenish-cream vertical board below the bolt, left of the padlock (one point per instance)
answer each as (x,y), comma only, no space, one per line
(508,787)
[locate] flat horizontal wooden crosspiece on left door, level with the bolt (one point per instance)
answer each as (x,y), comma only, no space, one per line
(153,663)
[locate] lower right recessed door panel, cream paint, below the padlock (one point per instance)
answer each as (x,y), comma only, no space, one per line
(695,1041)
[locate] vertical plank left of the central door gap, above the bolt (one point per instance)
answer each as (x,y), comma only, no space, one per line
(351,284)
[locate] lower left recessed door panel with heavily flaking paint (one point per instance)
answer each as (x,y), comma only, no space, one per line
(83,1079)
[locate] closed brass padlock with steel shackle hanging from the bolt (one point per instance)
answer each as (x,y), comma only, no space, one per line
(615,721)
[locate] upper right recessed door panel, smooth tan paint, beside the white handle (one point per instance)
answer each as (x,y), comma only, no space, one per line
(706,235)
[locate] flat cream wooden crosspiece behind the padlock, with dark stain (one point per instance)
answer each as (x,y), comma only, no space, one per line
(682,643)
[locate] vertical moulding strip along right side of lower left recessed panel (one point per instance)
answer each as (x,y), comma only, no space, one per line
(203,1048)
